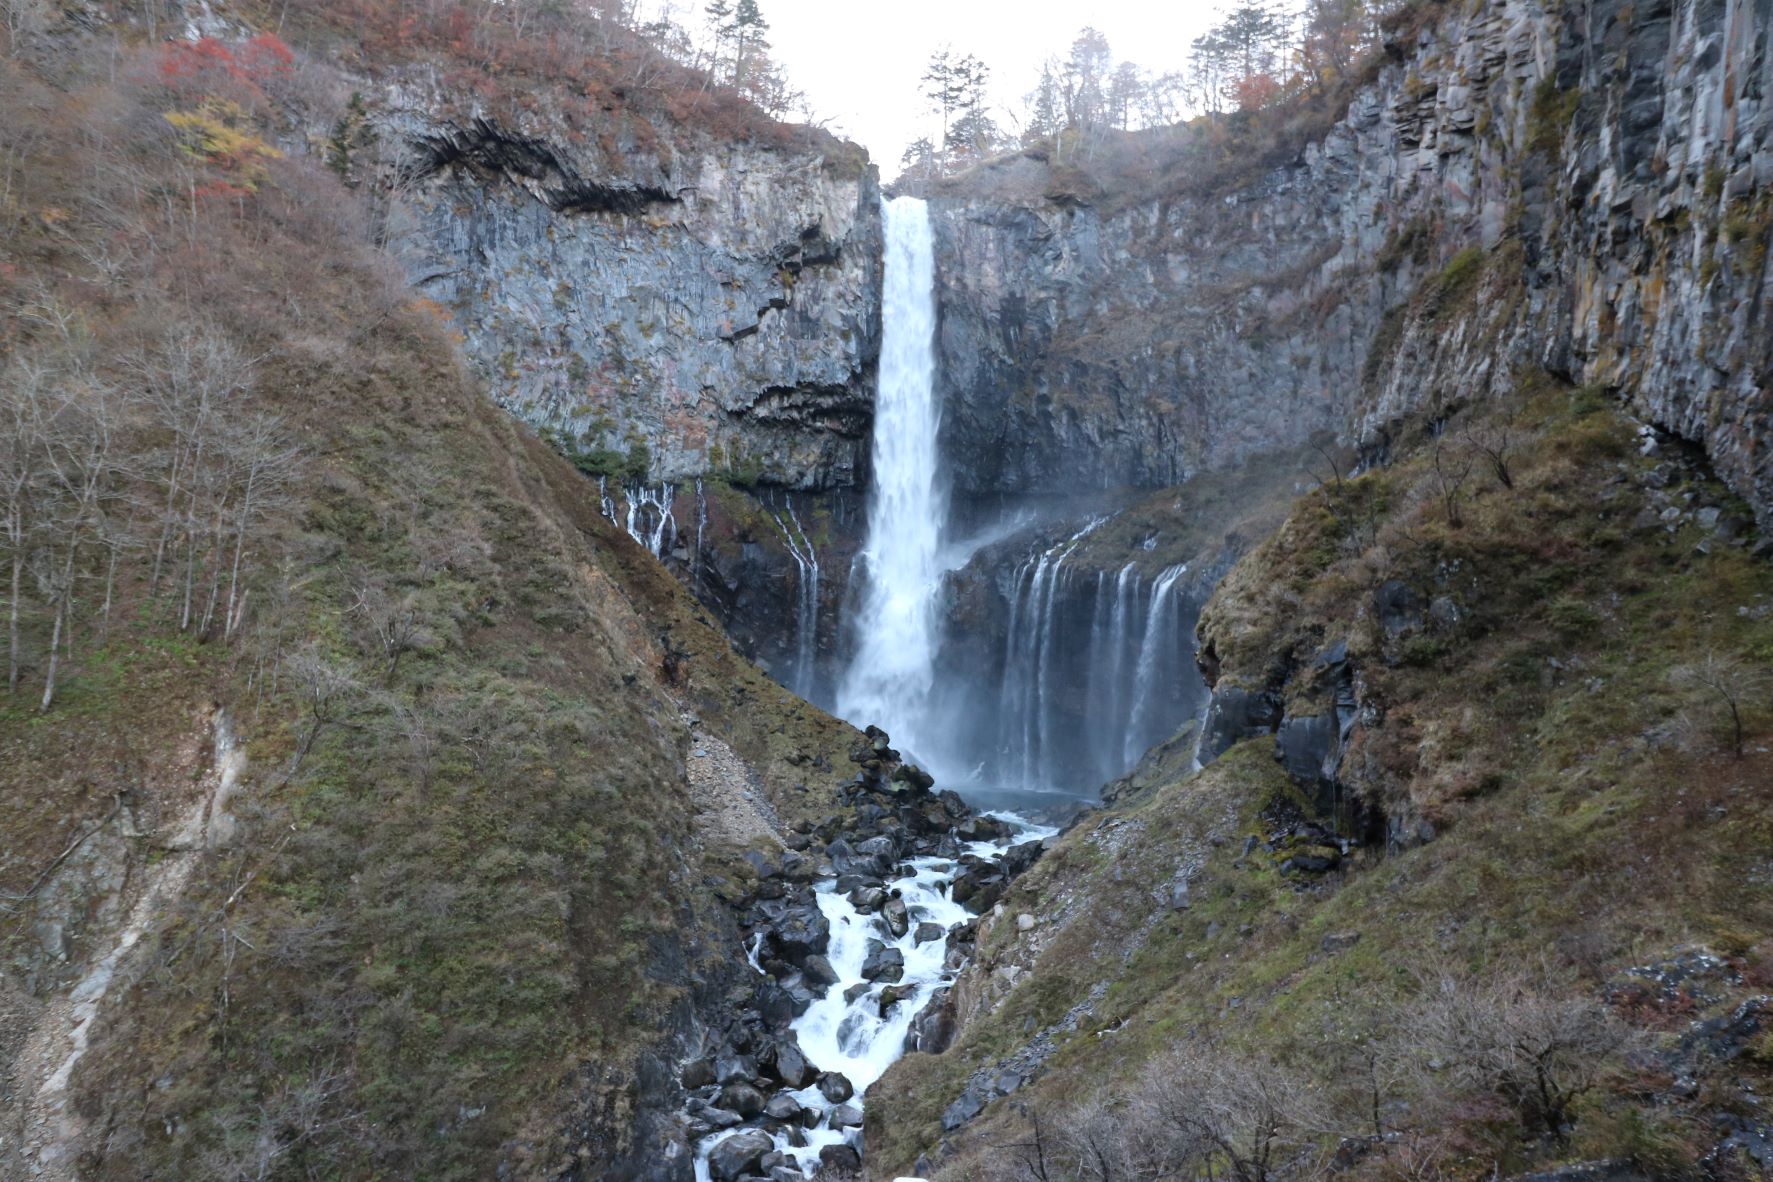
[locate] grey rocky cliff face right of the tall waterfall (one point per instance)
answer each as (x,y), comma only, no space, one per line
(1623,150)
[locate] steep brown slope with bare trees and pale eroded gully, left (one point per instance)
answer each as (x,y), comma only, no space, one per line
(462,908)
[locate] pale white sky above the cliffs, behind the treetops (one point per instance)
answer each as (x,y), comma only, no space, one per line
(861,63)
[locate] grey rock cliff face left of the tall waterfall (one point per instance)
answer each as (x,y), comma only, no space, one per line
(666,309)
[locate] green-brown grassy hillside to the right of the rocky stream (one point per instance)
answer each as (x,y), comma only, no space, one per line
(1563,813)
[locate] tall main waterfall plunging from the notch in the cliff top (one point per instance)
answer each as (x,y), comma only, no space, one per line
(898,626)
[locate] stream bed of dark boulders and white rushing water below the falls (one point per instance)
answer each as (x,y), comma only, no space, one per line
(855,933)
